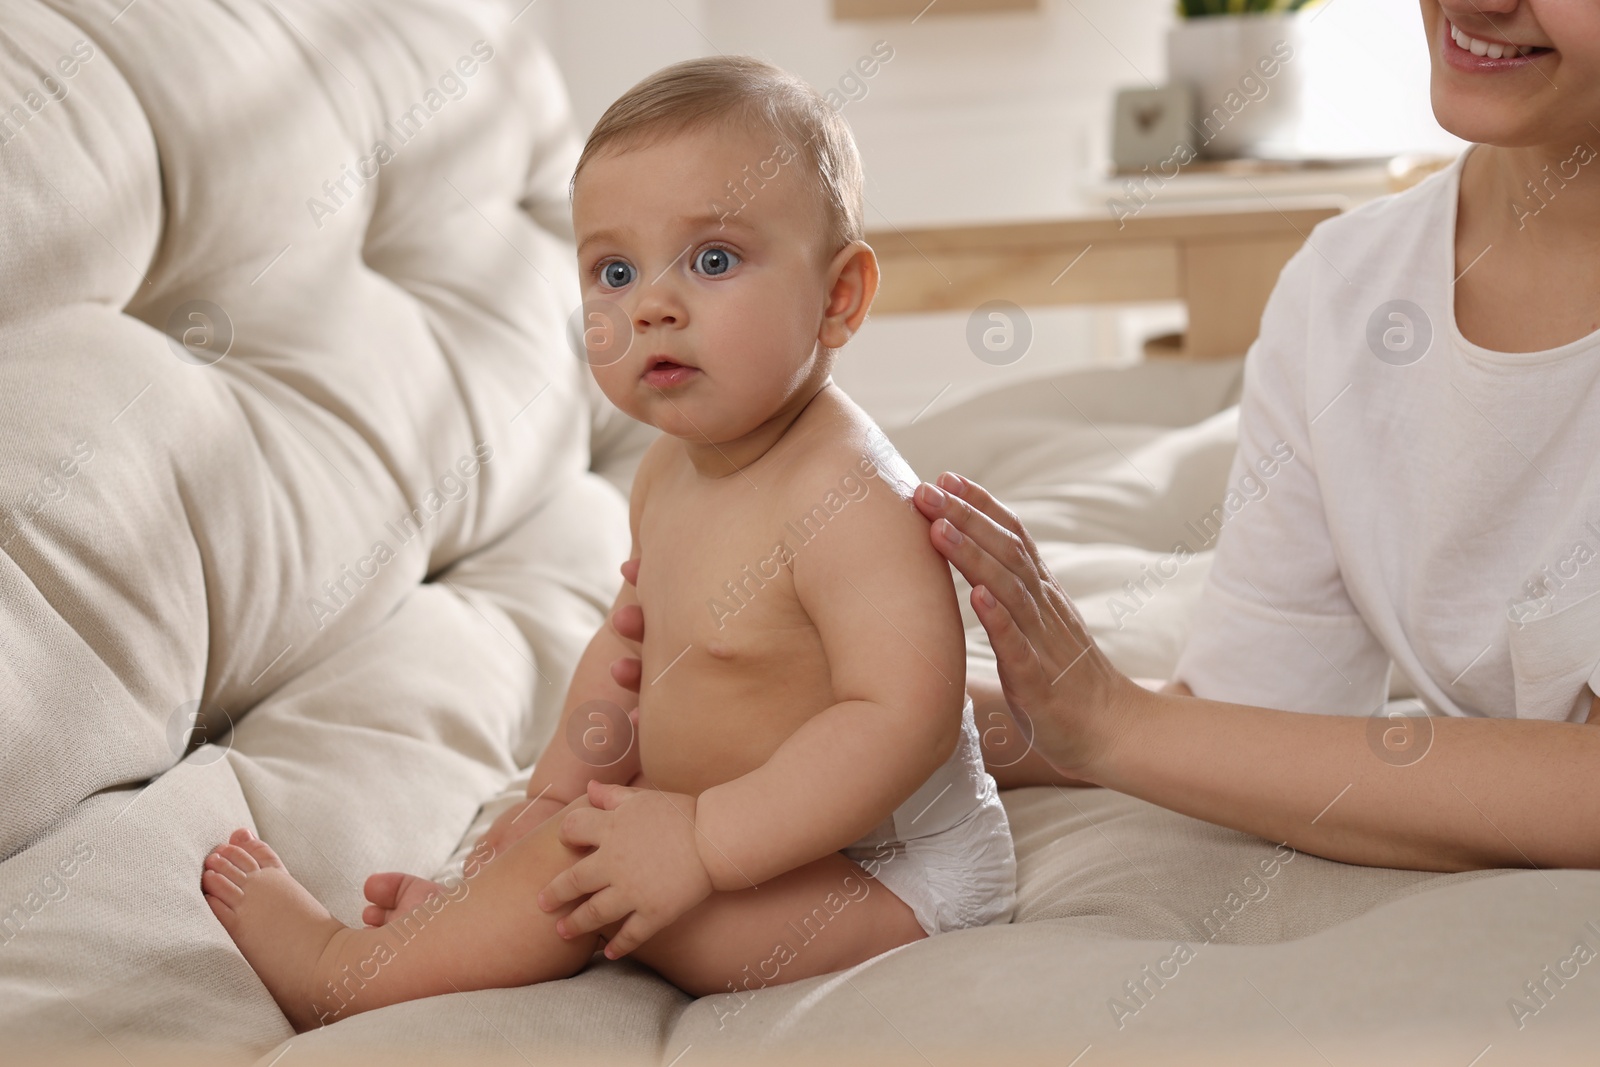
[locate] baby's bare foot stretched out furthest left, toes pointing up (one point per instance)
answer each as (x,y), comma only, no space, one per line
(281,929)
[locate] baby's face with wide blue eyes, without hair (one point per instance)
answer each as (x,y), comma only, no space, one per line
(724,303)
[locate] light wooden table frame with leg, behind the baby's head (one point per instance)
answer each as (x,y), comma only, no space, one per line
(1222,263)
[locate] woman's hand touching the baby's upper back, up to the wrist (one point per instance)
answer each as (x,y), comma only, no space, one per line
(1050,669)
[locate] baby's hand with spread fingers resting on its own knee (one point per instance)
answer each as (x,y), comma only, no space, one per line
(644,869)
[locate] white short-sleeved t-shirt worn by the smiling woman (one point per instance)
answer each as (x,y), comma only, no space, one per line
(1441,505)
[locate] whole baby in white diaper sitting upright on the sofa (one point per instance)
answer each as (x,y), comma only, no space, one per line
(806,761)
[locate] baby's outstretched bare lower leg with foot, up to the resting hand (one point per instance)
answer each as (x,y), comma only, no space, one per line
(486,933)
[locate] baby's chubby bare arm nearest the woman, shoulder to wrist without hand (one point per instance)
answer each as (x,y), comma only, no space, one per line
(886,609)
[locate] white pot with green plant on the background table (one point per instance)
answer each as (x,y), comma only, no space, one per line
(1244,62)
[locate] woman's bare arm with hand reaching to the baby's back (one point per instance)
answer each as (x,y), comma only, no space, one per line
(1487,793)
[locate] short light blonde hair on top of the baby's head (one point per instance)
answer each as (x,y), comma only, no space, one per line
(698,94)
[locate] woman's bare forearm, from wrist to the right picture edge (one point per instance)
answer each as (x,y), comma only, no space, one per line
(1486,793)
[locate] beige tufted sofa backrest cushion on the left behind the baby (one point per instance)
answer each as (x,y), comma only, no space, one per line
(295,458)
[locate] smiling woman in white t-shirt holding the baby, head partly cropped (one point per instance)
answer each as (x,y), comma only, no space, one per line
(1433,364)
